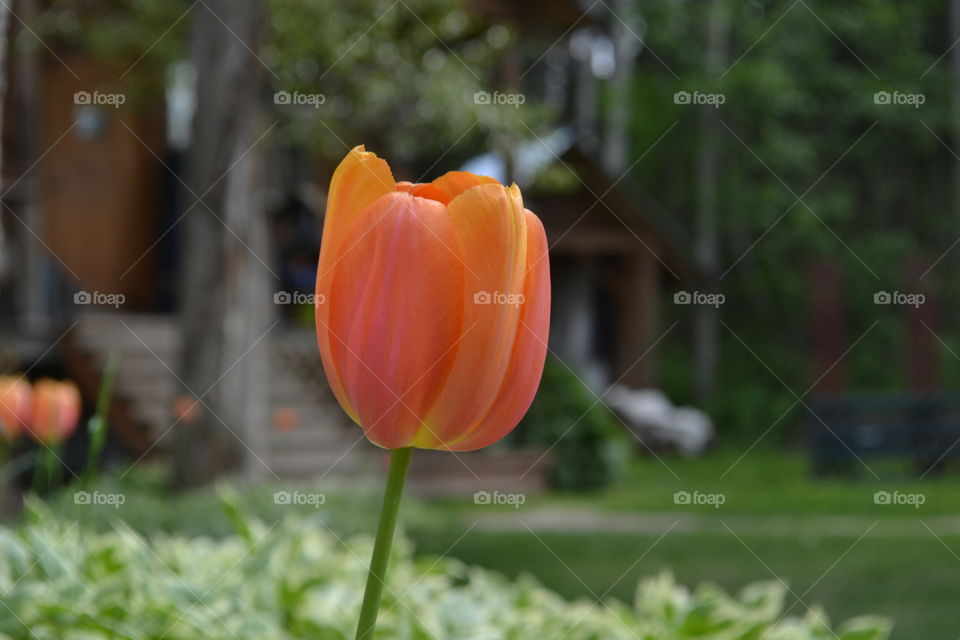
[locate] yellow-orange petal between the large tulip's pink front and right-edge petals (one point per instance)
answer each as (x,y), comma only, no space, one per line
(490,222)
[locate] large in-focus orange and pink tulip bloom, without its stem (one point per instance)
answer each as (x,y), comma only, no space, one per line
(434,305)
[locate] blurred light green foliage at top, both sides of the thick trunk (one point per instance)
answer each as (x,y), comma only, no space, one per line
(399,77)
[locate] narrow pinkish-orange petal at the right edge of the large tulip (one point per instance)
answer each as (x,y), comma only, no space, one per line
(529,350)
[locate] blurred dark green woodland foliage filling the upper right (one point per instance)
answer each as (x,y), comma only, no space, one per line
(800,120)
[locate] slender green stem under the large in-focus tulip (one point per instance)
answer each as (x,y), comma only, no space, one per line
(399,463)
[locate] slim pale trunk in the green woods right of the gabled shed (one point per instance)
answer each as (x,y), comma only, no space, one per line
(706,328)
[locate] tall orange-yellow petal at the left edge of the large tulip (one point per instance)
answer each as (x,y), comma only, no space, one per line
(358,181)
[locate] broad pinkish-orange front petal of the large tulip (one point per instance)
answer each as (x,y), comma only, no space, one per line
(395,313)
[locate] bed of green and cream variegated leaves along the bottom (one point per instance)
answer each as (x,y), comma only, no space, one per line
(297,580)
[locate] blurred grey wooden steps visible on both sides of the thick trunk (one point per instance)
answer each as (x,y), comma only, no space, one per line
(308,434)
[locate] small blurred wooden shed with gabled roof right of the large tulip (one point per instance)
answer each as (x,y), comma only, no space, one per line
(613,251)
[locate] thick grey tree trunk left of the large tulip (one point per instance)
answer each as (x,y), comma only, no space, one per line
(214,308)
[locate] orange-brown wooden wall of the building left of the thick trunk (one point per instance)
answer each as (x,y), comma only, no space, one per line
(101,191)
